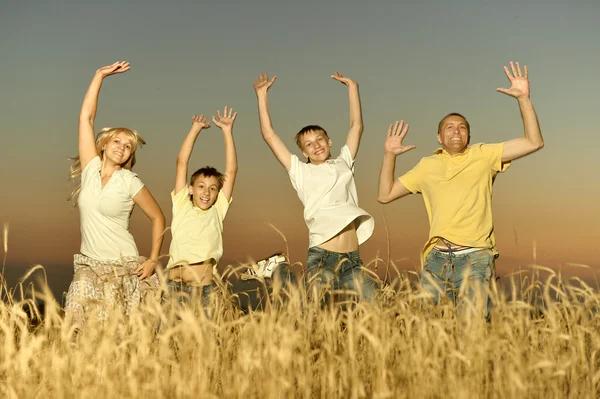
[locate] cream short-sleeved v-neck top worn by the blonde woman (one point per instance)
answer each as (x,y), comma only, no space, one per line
(105,212)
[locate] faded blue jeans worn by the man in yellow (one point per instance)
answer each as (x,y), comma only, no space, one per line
(449,270)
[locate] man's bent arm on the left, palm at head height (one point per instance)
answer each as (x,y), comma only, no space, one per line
(390,188)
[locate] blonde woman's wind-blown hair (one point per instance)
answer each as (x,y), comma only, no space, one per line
(103,137)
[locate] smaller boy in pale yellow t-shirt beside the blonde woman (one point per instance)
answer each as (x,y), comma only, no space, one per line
(198,213)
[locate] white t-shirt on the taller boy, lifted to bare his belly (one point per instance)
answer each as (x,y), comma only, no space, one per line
(328,193)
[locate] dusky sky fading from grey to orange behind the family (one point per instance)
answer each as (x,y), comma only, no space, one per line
(415,61)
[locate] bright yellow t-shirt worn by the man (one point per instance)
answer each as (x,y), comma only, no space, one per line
(457,191)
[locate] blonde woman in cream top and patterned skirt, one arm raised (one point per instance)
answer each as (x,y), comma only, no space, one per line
(109,272)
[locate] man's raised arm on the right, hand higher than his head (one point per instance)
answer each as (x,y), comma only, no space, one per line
(532,141)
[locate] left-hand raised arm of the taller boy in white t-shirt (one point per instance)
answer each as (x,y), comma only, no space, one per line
(261,86)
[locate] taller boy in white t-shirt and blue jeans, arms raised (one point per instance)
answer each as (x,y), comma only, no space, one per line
(326,187)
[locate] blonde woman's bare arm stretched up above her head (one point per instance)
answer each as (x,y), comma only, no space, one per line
(87,142)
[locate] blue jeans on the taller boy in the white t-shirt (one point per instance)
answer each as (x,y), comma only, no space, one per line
(337,270)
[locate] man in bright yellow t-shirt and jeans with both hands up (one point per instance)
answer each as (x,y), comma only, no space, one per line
(456,184)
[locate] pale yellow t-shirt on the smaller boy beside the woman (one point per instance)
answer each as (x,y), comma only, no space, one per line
(197,235)
